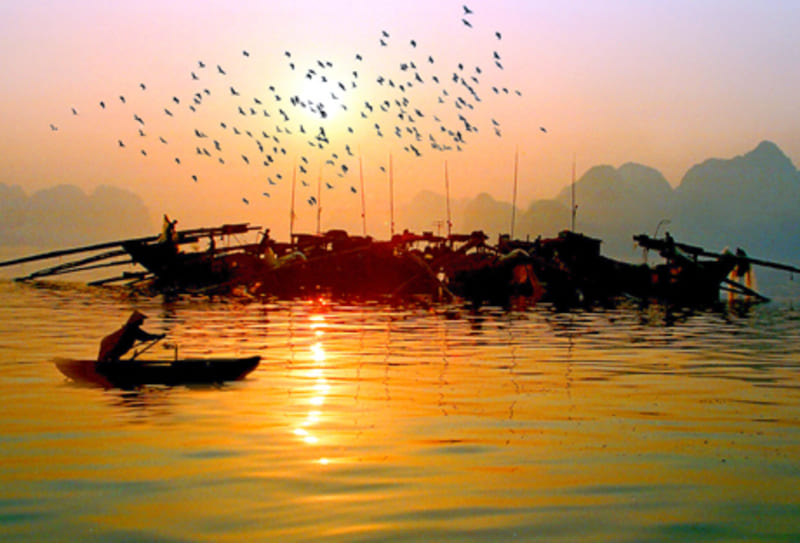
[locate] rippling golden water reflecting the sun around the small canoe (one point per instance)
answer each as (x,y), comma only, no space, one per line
(373,423)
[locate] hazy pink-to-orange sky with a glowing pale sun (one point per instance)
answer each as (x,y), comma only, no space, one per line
(350,94)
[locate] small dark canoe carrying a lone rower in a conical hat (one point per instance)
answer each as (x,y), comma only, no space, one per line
(134,373)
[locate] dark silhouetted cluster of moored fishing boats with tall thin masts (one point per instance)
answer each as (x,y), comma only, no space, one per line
(568,269)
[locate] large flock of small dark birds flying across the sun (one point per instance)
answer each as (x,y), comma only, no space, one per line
(417,105)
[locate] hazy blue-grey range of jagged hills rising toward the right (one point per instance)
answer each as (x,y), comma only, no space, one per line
(749,201)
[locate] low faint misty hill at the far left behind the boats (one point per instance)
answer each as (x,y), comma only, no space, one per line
(63,216)
